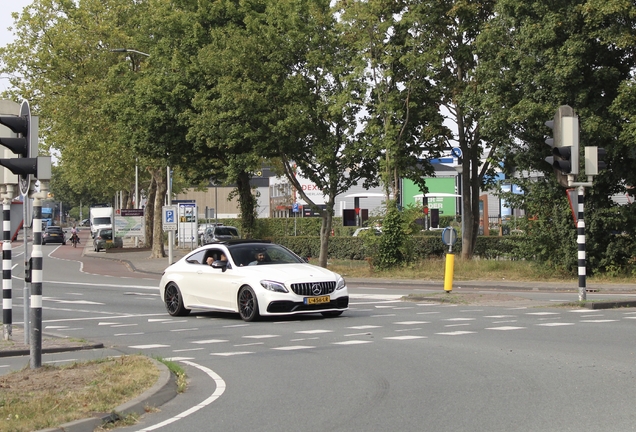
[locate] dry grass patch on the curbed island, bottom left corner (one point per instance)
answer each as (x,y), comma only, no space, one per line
(33,399)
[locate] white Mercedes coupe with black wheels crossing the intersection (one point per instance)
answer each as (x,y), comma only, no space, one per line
(258,278)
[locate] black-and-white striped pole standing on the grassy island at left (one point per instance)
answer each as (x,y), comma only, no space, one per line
(36,278)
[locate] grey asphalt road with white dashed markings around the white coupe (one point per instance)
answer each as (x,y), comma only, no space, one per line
(383,365)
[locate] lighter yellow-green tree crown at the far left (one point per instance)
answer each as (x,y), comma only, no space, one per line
(57,62)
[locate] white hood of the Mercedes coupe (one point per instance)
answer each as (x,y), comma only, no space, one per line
(289,273)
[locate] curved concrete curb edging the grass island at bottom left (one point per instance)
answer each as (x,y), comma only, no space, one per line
(164,390)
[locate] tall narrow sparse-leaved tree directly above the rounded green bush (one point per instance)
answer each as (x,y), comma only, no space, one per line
(401,117)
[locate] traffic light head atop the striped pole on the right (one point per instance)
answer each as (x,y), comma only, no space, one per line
(565,144)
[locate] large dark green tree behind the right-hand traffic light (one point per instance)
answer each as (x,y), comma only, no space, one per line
(536,56)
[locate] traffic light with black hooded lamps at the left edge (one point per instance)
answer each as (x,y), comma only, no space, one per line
(24,146)
